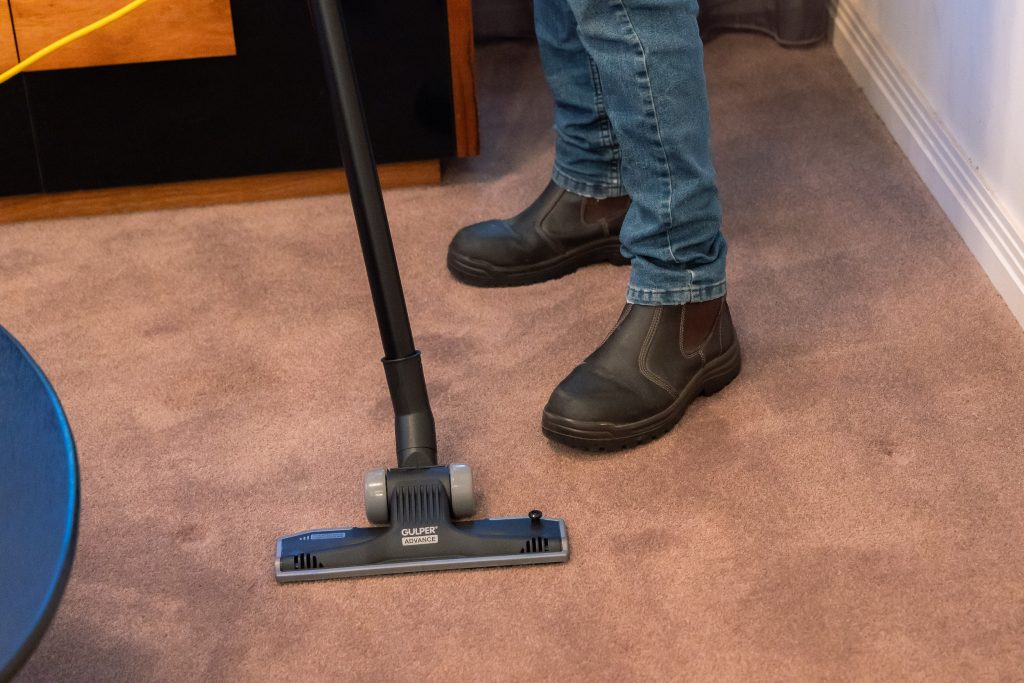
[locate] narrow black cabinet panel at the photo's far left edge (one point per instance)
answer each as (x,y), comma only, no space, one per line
(19,173)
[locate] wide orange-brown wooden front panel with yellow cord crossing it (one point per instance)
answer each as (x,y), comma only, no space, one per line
(160,30)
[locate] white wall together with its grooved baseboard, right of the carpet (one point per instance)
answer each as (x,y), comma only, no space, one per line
(961,63)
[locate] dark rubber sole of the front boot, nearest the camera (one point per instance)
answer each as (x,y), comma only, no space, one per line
(610,437)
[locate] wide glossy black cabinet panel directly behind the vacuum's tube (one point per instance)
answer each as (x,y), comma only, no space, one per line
(263,111)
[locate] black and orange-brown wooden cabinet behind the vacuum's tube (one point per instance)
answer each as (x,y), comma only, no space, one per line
(152,112)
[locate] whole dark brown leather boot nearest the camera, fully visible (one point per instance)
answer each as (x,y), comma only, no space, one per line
(636,387)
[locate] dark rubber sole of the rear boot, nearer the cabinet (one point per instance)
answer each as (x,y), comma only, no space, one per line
(481,274)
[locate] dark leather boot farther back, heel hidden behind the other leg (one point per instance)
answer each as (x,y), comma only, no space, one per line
(558,234)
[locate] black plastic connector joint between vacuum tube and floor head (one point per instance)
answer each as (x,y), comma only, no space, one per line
(414,423)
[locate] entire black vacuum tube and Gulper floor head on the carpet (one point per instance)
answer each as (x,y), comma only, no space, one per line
(419,507)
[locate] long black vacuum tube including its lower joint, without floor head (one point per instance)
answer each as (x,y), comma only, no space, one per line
(415,439)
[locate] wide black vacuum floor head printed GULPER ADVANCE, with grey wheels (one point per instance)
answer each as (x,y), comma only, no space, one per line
(419,506)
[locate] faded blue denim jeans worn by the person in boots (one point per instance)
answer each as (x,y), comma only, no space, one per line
(631,118)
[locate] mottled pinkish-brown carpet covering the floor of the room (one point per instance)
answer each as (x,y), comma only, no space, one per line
(850,508)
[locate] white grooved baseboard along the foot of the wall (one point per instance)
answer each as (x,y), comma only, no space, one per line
(974,210)
